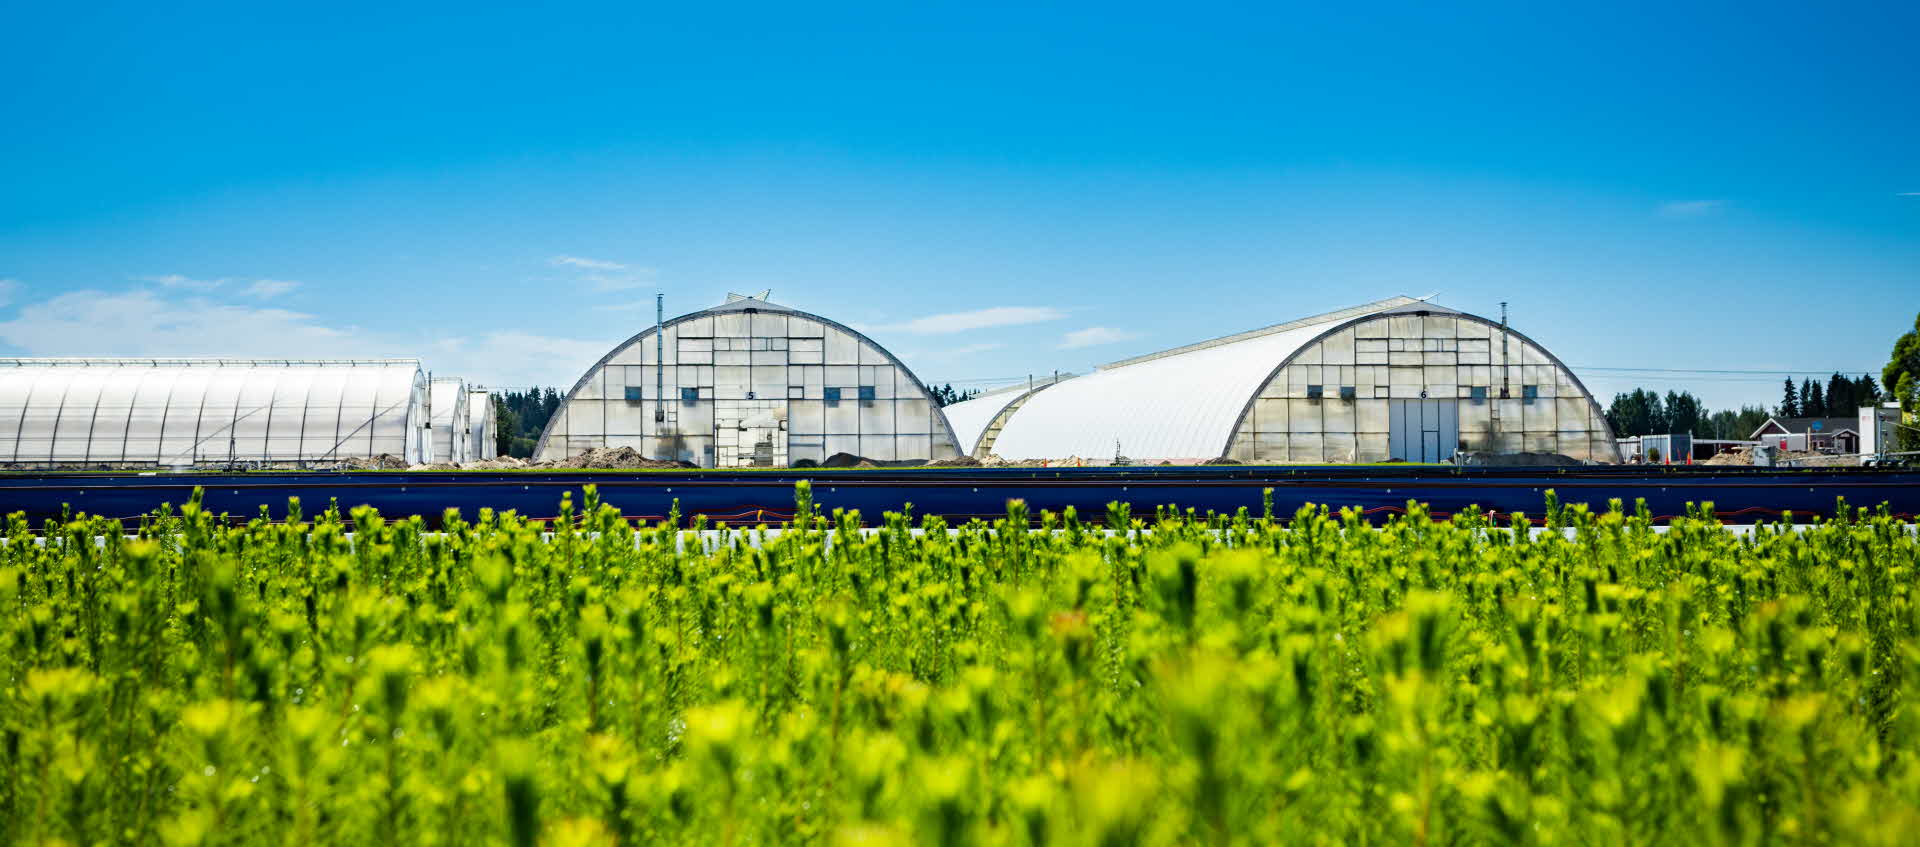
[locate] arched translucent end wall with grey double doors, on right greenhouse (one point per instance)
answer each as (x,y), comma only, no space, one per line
(1410,366)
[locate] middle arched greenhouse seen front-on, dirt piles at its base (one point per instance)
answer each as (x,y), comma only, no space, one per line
(750,383)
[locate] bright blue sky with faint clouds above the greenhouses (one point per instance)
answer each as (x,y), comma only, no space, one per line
(990,191)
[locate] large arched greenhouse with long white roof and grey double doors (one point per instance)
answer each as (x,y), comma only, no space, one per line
(1391,381)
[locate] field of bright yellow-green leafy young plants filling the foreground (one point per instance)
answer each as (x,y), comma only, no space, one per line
(1180,681)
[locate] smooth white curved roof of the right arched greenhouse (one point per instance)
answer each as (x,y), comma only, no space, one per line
(1178,404)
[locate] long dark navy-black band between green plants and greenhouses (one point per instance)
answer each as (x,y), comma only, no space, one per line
(959,495)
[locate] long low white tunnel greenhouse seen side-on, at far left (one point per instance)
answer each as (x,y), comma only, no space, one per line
(210,412)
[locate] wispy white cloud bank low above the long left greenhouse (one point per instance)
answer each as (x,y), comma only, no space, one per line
(153,324)
